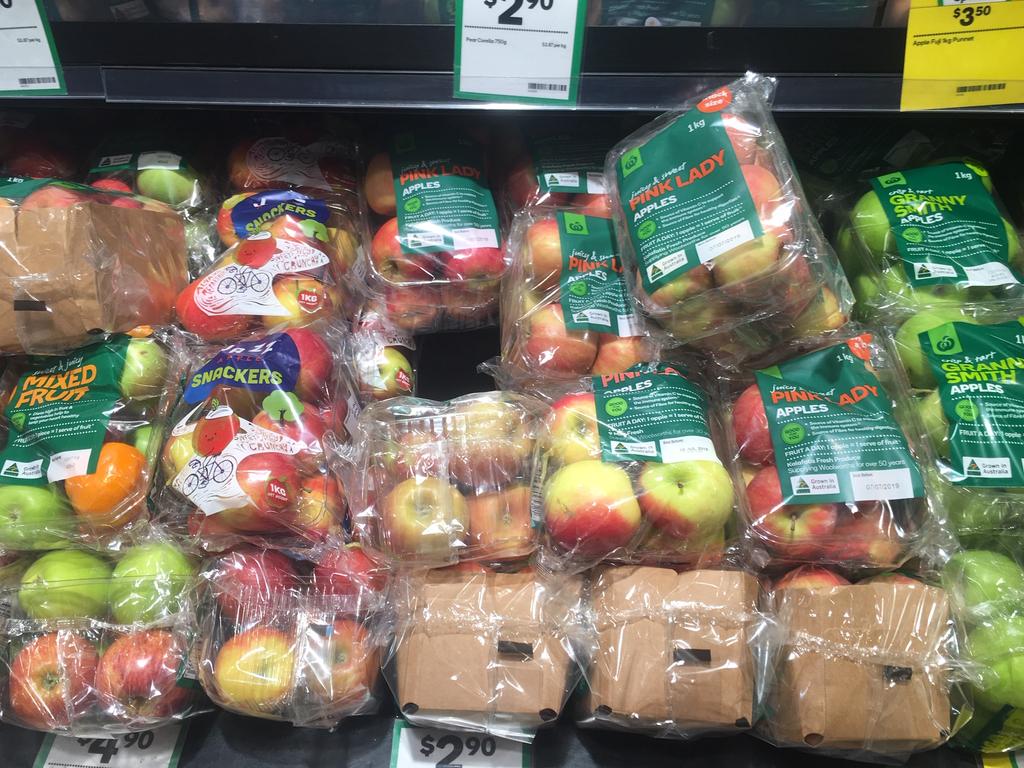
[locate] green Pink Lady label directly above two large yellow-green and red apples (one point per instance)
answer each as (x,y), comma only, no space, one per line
(653,413)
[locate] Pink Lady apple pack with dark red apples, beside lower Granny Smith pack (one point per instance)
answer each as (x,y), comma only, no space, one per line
(831,456)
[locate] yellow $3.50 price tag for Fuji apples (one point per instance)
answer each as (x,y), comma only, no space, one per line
(969,55)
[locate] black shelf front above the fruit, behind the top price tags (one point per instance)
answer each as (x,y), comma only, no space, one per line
(410,67)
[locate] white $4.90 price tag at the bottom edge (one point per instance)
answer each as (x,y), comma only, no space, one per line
(157,749)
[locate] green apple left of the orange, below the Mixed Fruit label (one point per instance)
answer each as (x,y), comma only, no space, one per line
(33,518)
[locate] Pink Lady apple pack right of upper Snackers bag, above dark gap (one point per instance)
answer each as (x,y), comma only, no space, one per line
(436,260)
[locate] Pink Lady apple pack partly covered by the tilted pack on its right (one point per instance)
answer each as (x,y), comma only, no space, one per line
(566,309)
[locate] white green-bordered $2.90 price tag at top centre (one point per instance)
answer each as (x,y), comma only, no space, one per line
(519,51)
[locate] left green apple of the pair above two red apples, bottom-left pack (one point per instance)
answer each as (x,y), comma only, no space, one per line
(70,584)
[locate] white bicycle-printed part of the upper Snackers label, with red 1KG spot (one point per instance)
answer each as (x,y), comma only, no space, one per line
(247,287)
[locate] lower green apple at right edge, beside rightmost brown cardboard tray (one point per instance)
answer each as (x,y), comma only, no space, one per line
(999,646)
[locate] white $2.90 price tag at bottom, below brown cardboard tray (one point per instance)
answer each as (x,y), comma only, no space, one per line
(419,748)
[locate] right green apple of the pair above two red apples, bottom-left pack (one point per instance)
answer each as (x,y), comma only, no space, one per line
(150,583)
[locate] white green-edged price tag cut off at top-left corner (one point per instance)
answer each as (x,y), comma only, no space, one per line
(29,62)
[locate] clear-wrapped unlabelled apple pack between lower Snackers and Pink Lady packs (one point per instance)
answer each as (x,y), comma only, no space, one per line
(440,483)
